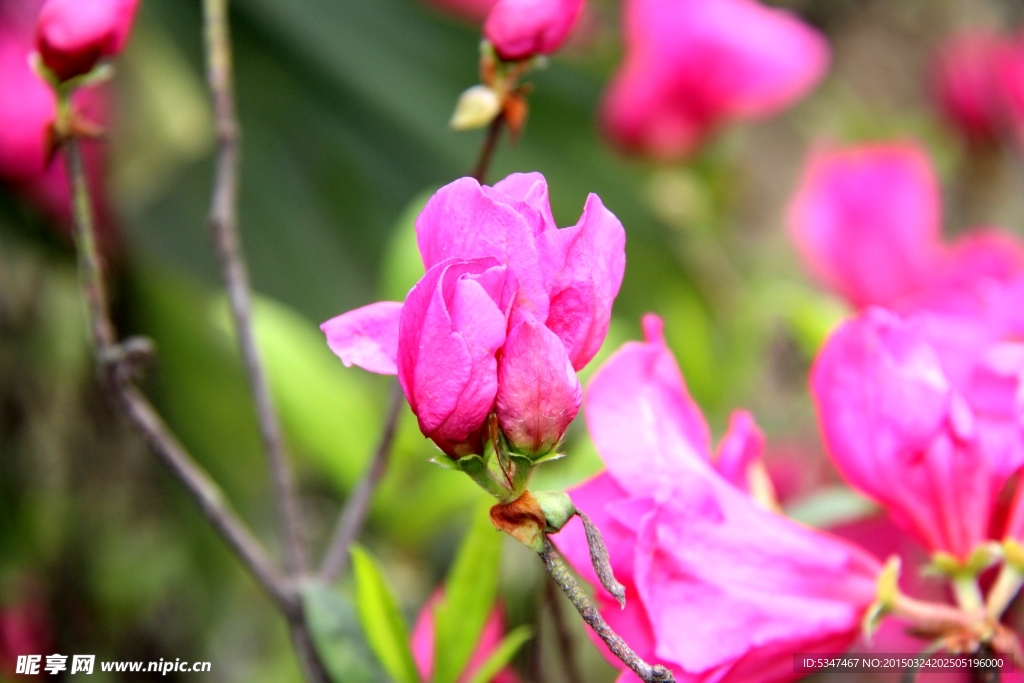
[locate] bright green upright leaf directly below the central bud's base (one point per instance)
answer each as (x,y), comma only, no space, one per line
(470,595)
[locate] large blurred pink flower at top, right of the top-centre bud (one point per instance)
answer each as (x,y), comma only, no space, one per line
(692,67)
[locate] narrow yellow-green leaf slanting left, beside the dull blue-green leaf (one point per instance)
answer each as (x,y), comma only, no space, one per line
(381,620)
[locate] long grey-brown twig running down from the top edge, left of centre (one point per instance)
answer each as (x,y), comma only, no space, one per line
(224,227)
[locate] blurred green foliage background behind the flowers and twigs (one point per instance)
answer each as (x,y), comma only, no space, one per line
(345,106)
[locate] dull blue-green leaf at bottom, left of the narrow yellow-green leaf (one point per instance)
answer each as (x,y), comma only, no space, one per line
(336,633)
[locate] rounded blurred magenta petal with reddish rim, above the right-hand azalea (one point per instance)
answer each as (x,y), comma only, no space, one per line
(867,221)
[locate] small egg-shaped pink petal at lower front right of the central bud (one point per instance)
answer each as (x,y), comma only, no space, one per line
(538,392)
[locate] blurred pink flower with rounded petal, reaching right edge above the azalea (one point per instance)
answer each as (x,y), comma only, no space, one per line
(868,222)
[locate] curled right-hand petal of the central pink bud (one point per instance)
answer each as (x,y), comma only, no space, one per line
(584,268)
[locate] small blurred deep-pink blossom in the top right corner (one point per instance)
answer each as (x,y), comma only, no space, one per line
(966,83)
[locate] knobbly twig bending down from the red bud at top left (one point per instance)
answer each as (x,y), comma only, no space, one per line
(115,378)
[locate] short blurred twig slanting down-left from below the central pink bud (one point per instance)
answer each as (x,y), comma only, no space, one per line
(354,516)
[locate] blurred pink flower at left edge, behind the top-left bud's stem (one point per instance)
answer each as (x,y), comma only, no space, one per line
(25,120)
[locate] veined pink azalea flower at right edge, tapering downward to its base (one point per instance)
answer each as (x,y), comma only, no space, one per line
(924,414)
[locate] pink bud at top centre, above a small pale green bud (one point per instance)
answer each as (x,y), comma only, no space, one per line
(523,29)
